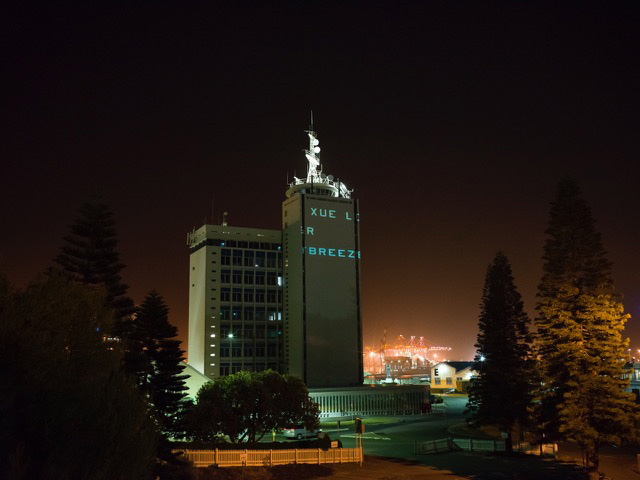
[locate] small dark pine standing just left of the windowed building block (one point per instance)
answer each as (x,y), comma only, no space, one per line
(159,363)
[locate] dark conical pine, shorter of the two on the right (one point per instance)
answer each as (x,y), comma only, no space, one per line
(501,393)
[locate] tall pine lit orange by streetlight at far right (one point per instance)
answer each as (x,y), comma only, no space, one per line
(579,341)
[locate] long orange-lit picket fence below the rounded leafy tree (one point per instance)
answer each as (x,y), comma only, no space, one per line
(262,458)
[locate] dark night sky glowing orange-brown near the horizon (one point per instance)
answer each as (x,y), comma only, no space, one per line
(453,121)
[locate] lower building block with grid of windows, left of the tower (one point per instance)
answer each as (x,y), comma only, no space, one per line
(235,300)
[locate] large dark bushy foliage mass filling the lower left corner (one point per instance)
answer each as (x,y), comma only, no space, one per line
(67,411)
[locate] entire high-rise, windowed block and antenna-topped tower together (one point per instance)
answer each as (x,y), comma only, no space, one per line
(283,299)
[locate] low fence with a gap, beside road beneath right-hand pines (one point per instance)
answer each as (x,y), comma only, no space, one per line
(475,445)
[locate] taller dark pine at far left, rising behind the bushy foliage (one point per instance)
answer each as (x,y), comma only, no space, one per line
(89,256)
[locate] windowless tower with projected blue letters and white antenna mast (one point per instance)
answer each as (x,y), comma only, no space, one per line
(320,235)
